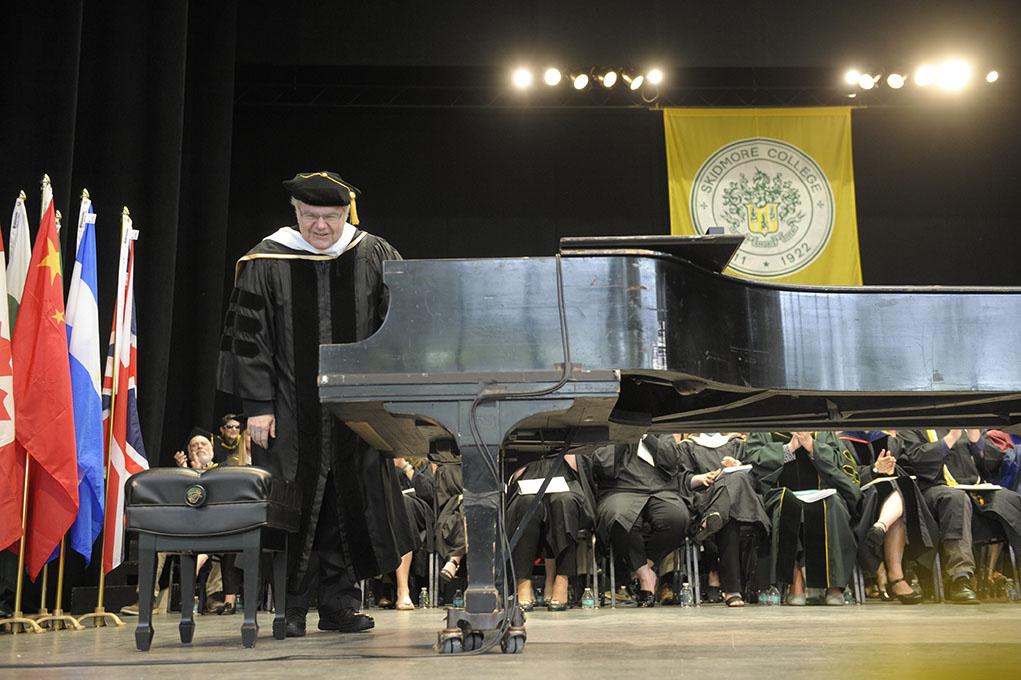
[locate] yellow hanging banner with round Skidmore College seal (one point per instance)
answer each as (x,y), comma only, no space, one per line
(784,179)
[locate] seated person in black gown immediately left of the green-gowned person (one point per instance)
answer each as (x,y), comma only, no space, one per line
(730,509)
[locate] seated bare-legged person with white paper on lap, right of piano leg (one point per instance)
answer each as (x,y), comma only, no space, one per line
(555,530)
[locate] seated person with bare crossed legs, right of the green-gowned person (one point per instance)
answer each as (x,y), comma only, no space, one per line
(896,522)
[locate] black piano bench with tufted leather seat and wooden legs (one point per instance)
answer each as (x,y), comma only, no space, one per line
(225,510)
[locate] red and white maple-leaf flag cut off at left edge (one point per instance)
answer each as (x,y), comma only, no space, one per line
(12,464)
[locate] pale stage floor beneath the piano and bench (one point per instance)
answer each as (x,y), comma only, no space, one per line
(931,642)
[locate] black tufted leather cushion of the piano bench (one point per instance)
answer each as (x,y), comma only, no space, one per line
(230,500)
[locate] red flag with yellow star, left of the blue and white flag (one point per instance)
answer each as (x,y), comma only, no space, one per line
(43,407)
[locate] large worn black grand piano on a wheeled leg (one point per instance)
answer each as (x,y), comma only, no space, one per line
(618,336)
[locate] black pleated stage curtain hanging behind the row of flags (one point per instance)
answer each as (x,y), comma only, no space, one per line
(134,102)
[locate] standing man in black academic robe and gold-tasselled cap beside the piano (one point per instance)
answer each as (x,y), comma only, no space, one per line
(302,287)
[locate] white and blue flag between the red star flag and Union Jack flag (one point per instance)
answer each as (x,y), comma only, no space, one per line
(83,345)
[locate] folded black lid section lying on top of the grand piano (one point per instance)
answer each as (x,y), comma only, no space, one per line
(710,253)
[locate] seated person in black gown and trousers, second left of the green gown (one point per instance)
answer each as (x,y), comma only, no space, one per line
(640,512)
